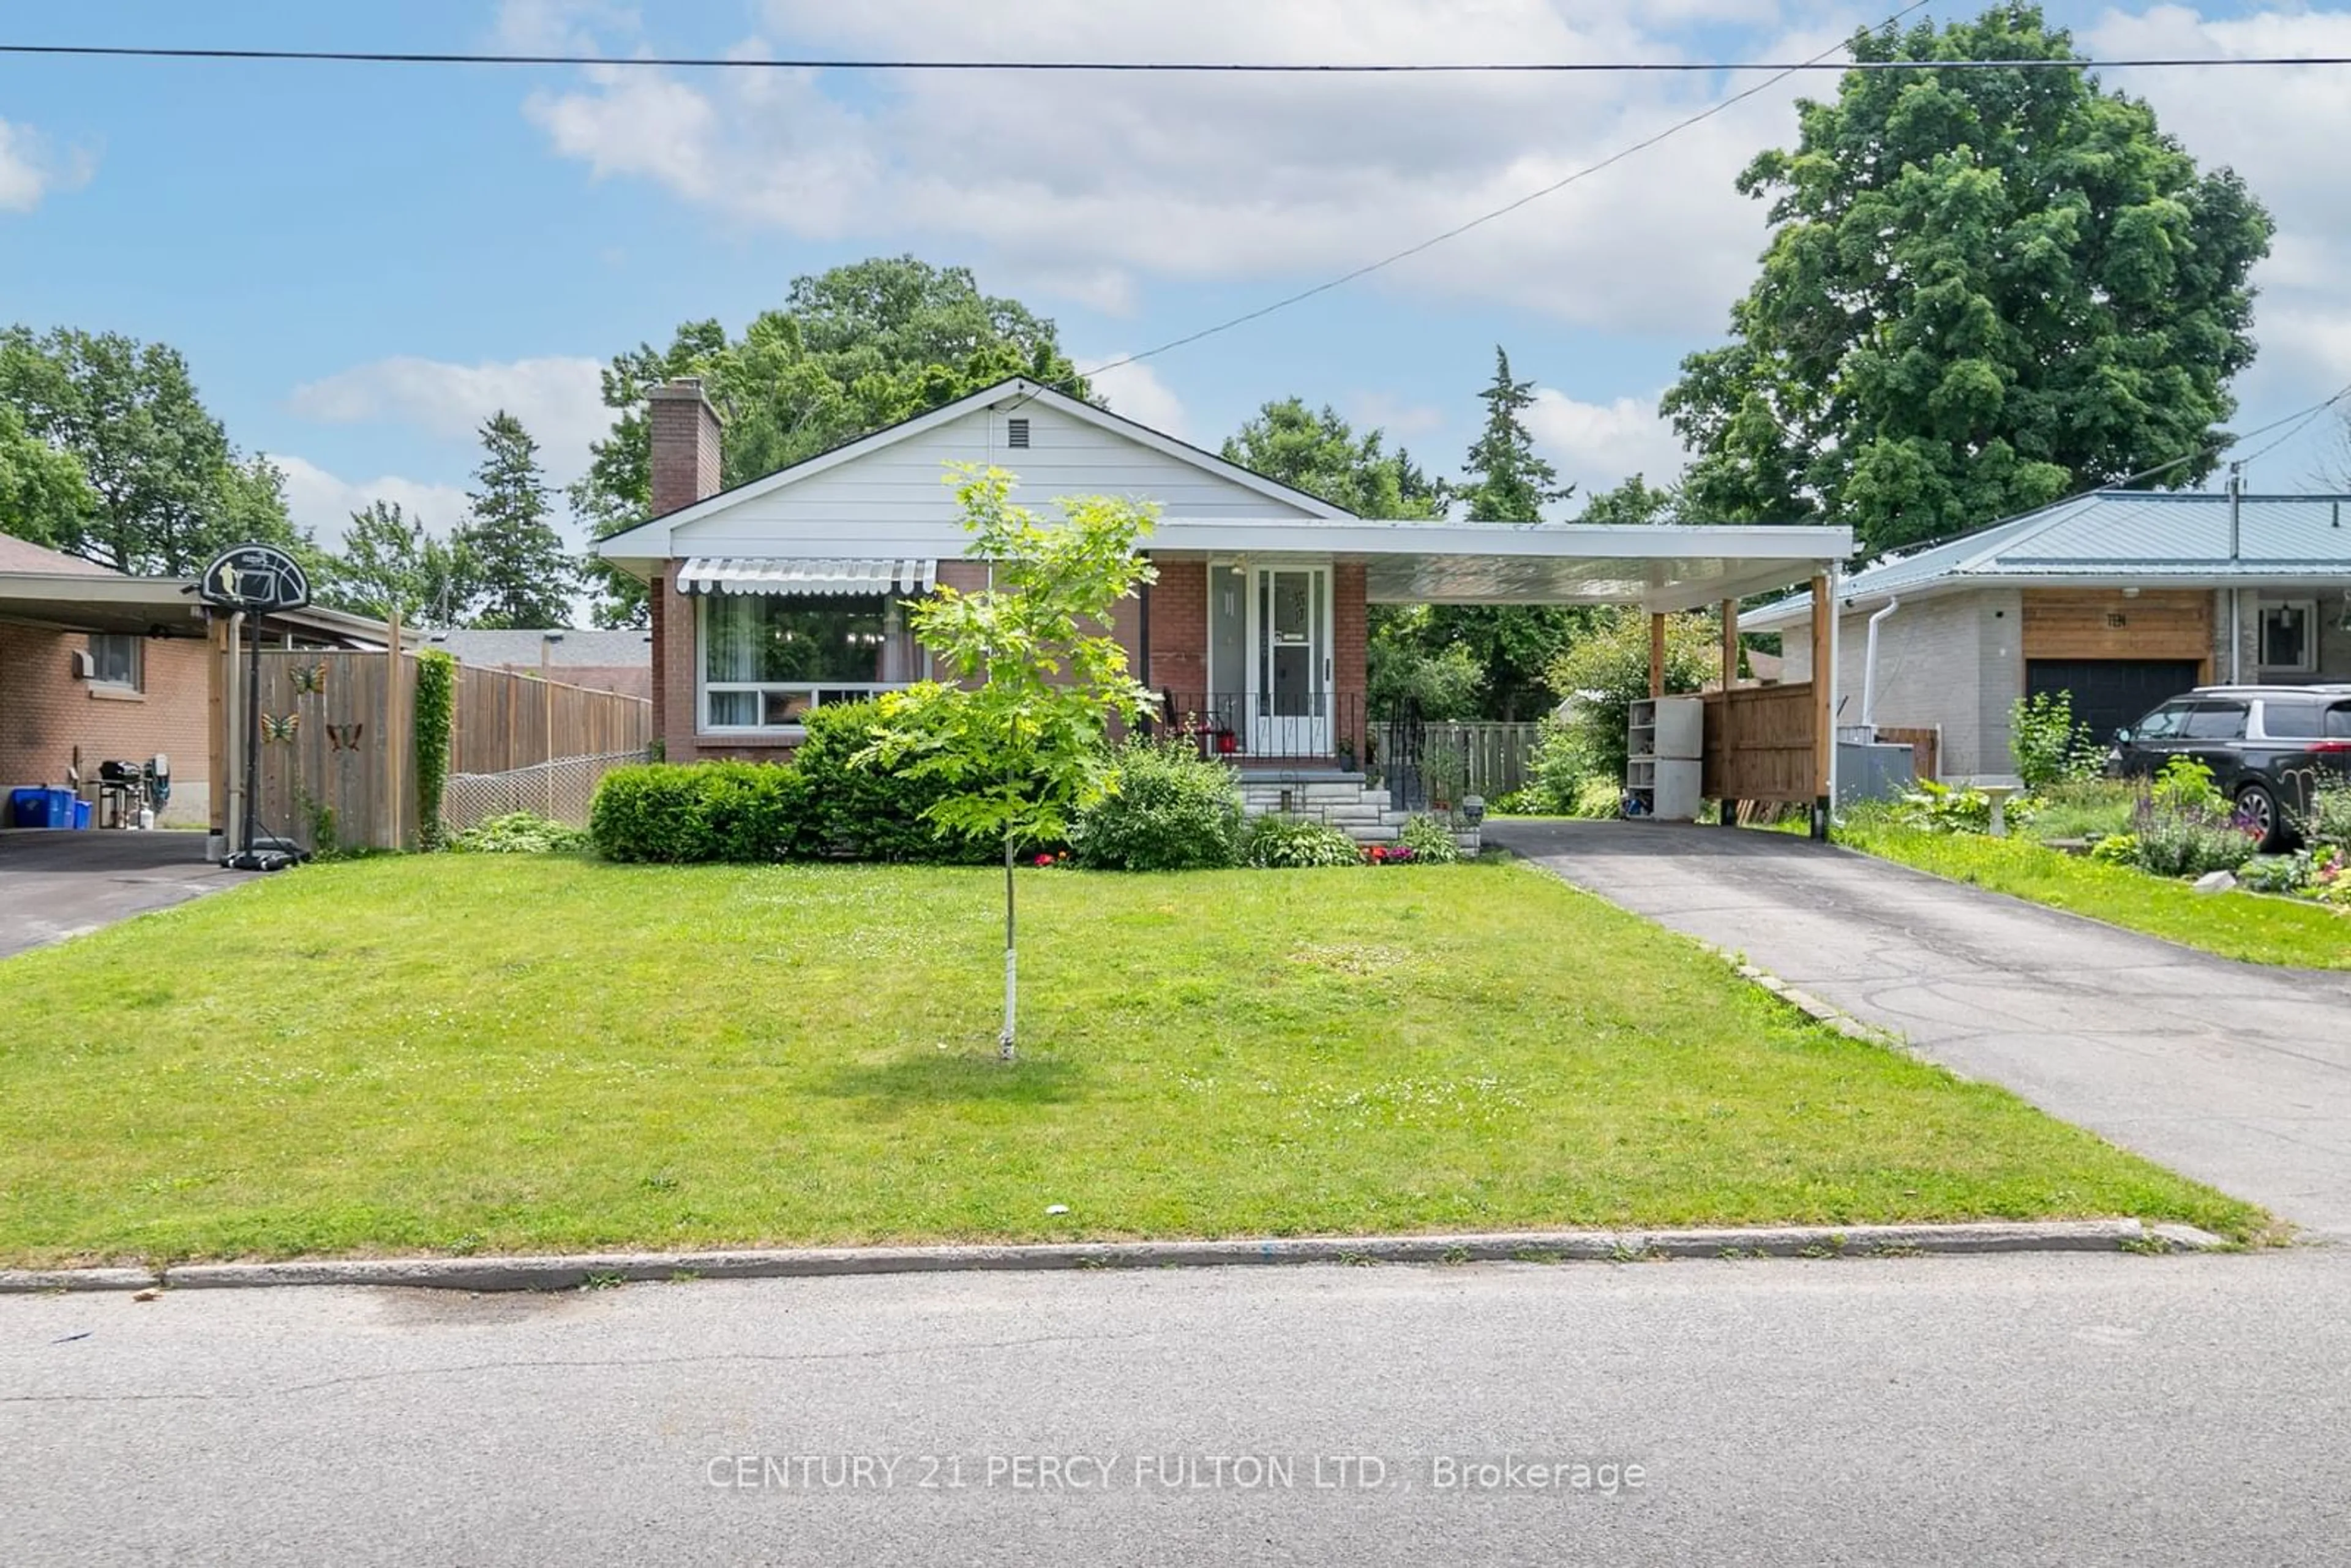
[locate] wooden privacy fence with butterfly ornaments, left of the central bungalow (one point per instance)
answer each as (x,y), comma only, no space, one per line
(340,746)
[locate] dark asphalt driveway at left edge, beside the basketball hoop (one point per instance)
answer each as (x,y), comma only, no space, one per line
(58,885)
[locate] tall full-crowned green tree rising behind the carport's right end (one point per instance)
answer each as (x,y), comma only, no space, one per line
(1983,290)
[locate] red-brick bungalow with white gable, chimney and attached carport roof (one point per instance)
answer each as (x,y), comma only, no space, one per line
(786,594)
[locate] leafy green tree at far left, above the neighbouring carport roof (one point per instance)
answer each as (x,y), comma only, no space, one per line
(166,488)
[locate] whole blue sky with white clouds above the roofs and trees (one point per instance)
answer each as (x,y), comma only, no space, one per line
(361,260)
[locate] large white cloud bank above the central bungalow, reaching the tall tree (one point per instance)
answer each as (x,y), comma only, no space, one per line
(1085,182)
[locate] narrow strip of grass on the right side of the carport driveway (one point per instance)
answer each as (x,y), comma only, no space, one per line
(2232,925)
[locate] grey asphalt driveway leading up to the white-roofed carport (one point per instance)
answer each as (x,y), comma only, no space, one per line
(2232,1073)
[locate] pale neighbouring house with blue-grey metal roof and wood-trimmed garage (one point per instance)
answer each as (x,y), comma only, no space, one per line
(2119,601)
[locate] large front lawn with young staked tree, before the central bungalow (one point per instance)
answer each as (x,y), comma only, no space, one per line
(483,1054)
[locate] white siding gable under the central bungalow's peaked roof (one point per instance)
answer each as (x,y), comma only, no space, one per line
(897,500)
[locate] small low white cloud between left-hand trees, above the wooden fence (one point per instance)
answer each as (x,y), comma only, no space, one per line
(556,398)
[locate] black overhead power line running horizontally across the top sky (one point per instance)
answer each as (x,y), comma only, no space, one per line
(1125,67)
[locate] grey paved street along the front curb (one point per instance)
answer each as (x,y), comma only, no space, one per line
(2061,1409)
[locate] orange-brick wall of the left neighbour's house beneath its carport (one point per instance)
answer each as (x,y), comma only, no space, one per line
(46,713)
